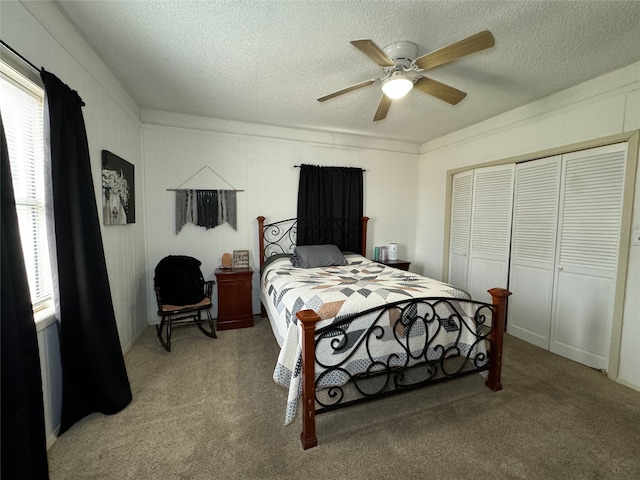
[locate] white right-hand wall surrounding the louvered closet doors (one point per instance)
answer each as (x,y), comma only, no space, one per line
(604,106)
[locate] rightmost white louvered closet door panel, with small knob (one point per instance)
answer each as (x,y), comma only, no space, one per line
(587,254)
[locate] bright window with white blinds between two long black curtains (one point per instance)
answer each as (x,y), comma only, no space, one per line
(21,104)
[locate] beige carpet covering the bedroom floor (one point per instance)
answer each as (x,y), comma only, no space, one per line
(210,410)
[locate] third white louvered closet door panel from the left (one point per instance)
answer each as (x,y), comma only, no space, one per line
(533,249)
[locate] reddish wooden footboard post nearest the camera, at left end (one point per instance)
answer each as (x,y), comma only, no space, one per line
(308,319)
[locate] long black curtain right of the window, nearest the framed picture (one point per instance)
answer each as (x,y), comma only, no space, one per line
(94,377)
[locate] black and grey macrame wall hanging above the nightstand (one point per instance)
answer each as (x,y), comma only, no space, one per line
(206,208)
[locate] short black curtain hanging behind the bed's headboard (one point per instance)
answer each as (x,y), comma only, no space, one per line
(330,206)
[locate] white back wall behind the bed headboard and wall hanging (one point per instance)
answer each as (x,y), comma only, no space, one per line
(260,160)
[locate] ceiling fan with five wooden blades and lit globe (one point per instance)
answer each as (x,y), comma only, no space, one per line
(403,70)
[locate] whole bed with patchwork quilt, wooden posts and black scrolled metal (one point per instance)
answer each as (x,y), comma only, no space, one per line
(351,329)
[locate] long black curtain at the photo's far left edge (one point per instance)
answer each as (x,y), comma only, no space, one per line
(24,446)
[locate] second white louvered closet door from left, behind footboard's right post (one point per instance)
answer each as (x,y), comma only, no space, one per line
(490,229)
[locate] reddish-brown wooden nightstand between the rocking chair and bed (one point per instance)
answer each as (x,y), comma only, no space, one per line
(234,298)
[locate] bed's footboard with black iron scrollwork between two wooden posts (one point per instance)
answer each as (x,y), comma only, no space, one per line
(398,347)
